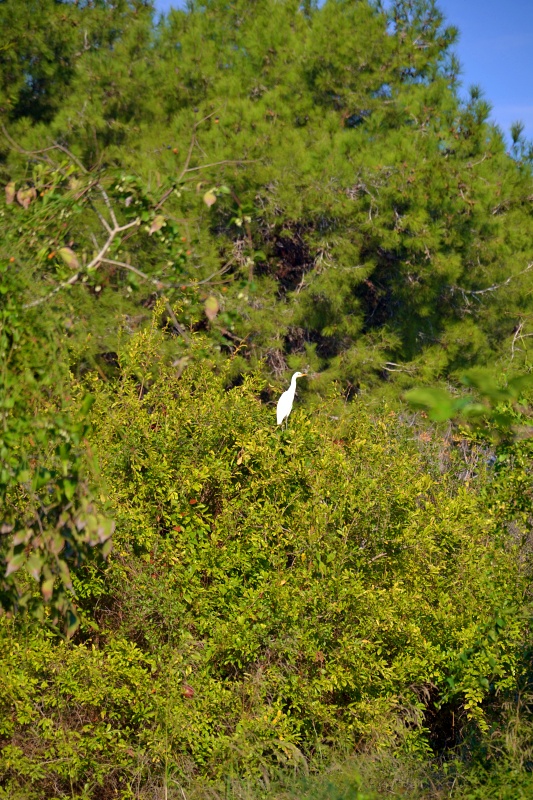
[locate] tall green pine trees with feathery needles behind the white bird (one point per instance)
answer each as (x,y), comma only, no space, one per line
(311,169)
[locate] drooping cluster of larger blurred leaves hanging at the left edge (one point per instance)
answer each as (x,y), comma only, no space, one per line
(58,526)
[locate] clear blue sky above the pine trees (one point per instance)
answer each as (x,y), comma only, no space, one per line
(494,48)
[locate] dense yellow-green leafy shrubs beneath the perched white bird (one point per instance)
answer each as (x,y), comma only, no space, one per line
(276,602)
